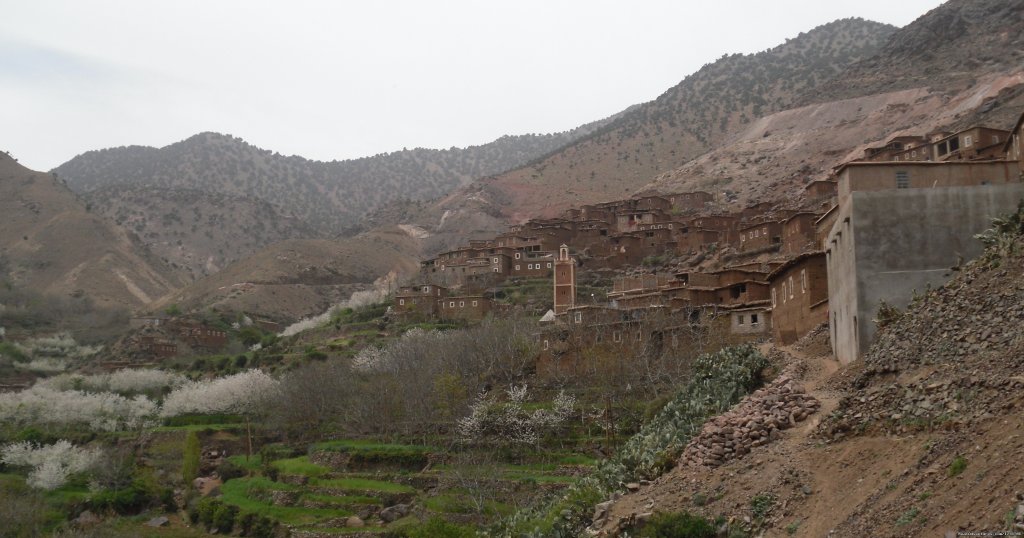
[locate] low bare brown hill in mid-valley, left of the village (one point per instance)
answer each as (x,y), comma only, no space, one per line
(294,279)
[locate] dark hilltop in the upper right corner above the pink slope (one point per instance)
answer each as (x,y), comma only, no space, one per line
(946,50)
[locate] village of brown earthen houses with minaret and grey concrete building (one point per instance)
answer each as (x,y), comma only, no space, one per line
(689,269)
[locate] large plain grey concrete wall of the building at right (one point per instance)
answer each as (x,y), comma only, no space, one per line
(887,244)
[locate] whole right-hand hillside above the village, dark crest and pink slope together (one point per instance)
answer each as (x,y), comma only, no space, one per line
(907,89)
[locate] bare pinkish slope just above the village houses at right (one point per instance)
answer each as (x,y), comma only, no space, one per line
(775,157)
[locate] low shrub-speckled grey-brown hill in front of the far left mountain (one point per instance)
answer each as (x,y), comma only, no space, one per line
(197,231)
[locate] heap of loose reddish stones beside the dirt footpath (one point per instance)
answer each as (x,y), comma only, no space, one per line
(756,422)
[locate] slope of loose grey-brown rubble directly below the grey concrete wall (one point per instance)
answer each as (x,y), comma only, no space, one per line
(951,359)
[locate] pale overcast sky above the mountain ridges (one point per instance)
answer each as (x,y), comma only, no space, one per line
(346,79)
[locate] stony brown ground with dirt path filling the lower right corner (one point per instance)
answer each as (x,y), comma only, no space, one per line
(923,438)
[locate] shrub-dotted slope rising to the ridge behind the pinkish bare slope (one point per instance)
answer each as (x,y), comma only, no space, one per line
(685,122)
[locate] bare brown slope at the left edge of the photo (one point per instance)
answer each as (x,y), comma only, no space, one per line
(50,243)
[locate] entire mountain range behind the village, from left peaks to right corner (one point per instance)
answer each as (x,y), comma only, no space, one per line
(215,210)
